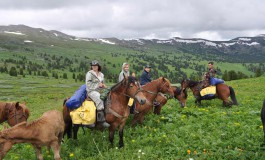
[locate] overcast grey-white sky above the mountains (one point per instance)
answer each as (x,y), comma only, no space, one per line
(150,19)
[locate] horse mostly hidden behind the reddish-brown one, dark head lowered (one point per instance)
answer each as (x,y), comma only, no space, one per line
(179,94)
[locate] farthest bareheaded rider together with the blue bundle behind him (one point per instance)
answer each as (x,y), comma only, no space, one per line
(209,77)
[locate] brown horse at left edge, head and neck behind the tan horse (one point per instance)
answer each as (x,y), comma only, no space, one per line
(13,112)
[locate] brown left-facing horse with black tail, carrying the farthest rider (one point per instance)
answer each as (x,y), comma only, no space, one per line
(223,92)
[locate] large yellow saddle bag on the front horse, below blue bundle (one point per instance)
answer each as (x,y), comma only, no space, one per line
(85,114)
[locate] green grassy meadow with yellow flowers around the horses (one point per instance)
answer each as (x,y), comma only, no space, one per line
(207,132)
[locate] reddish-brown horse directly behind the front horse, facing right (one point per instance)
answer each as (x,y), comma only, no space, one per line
(150,91)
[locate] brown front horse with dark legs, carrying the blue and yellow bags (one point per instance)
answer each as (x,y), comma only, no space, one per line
(116,109)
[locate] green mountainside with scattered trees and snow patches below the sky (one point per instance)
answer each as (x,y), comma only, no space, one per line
(35,51)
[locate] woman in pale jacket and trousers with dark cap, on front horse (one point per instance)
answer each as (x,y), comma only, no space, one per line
(94,84)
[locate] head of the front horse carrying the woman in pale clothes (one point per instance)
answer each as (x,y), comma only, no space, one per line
(133,89)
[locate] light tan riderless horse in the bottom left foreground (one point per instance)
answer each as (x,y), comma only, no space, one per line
(45,131)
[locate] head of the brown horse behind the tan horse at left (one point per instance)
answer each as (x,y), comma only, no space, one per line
(16,113)
